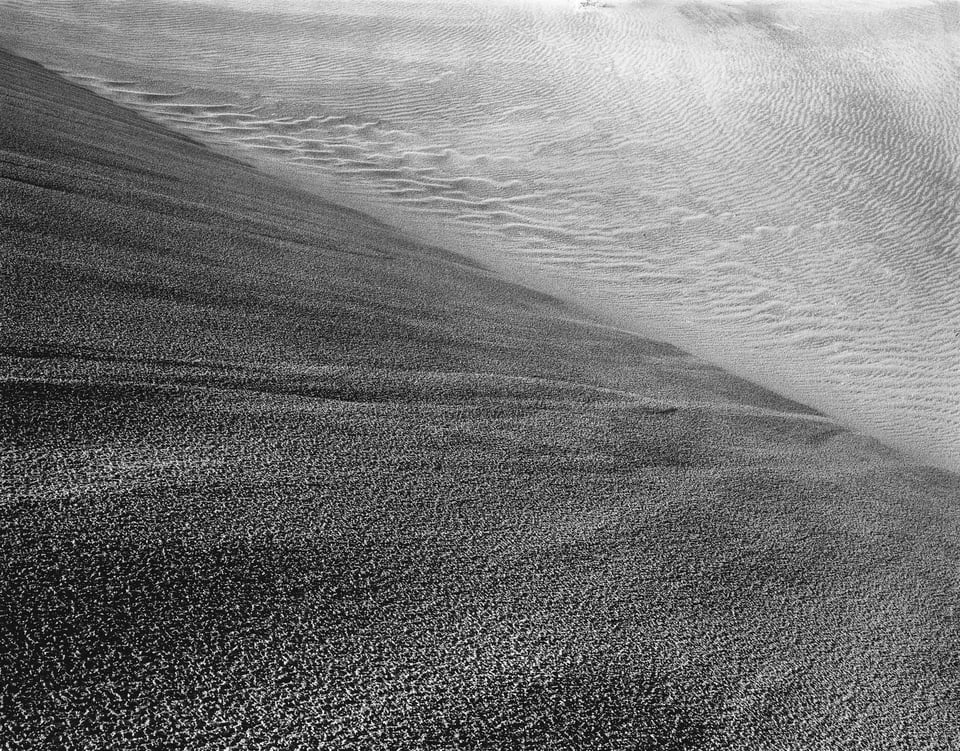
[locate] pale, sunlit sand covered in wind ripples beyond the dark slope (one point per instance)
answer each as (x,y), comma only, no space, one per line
(774,187)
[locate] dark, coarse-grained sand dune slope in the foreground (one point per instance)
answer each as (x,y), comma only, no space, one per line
(273,475)
